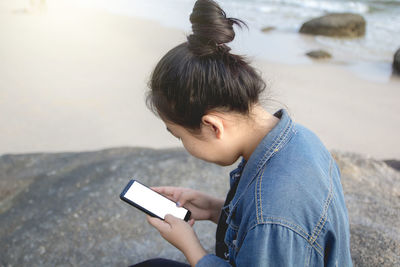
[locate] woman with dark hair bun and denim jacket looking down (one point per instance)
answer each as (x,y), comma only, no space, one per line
(285,206)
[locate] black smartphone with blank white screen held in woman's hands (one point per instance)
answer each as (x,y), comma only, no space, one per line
(151,202)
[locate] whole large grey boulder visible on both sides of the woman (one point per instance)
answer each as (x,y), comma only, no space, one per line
(63,209)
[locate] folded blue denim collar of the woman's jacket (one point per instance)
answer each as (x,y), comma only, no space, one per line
(269,146)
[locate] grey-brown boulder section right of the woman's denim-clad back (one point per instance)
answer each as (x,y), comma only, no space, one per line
(372,194)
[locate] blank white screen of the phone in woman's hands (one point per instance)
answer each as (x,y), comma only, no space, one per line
(153,202)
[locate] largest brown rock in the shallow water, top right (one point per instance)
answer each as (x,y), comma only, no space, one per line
(336,25)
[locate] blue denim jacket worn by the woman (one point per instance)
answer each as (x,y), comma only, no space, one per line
(289,208)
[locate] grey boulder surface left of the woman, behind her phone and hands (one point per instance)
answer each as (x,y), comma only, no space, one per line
(63,209)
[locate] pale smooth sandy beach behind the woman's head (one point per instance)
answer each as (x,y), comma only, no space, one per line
(75,80)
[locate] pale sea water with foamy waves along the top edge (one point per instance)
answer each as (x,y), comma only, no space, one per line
(284,44)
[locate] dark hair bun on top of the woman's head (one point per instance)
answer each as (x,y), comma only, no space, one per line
(211,28)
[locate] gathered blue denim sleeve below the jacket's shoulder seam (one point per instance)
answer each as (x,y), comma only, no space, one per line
(274,245)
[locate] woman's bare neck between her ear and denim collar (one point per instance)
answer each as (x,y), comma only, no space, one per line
(255,129)
